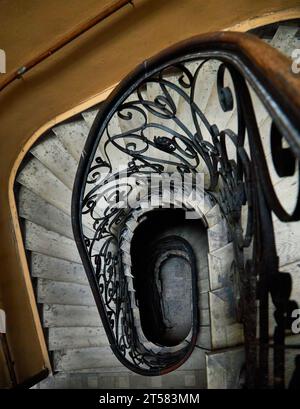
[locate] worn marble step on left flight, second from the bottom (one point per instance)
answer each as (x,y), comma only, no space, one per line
(76,337)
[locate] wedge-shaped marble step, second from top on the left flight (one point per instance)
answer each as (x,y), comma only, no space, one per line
(73,135)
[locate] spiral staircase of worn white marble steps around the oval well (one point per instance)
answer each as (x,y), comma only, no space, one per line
(76,338)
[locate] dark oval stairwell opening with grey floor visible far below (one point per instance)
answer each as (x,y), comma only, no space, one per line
(165,274)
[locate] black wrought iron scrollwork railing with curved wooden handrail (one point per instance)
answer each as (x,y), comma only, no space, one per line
(154,137)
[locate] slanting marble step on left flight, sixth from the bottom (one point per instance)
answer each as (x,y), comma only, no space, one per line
(47,242)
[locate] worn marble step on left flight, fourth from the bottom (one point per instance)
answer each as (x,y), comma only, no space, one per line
(58,292)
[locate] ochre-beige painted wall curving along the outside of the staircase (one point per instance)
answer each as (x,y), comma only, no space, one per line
(83,69)
